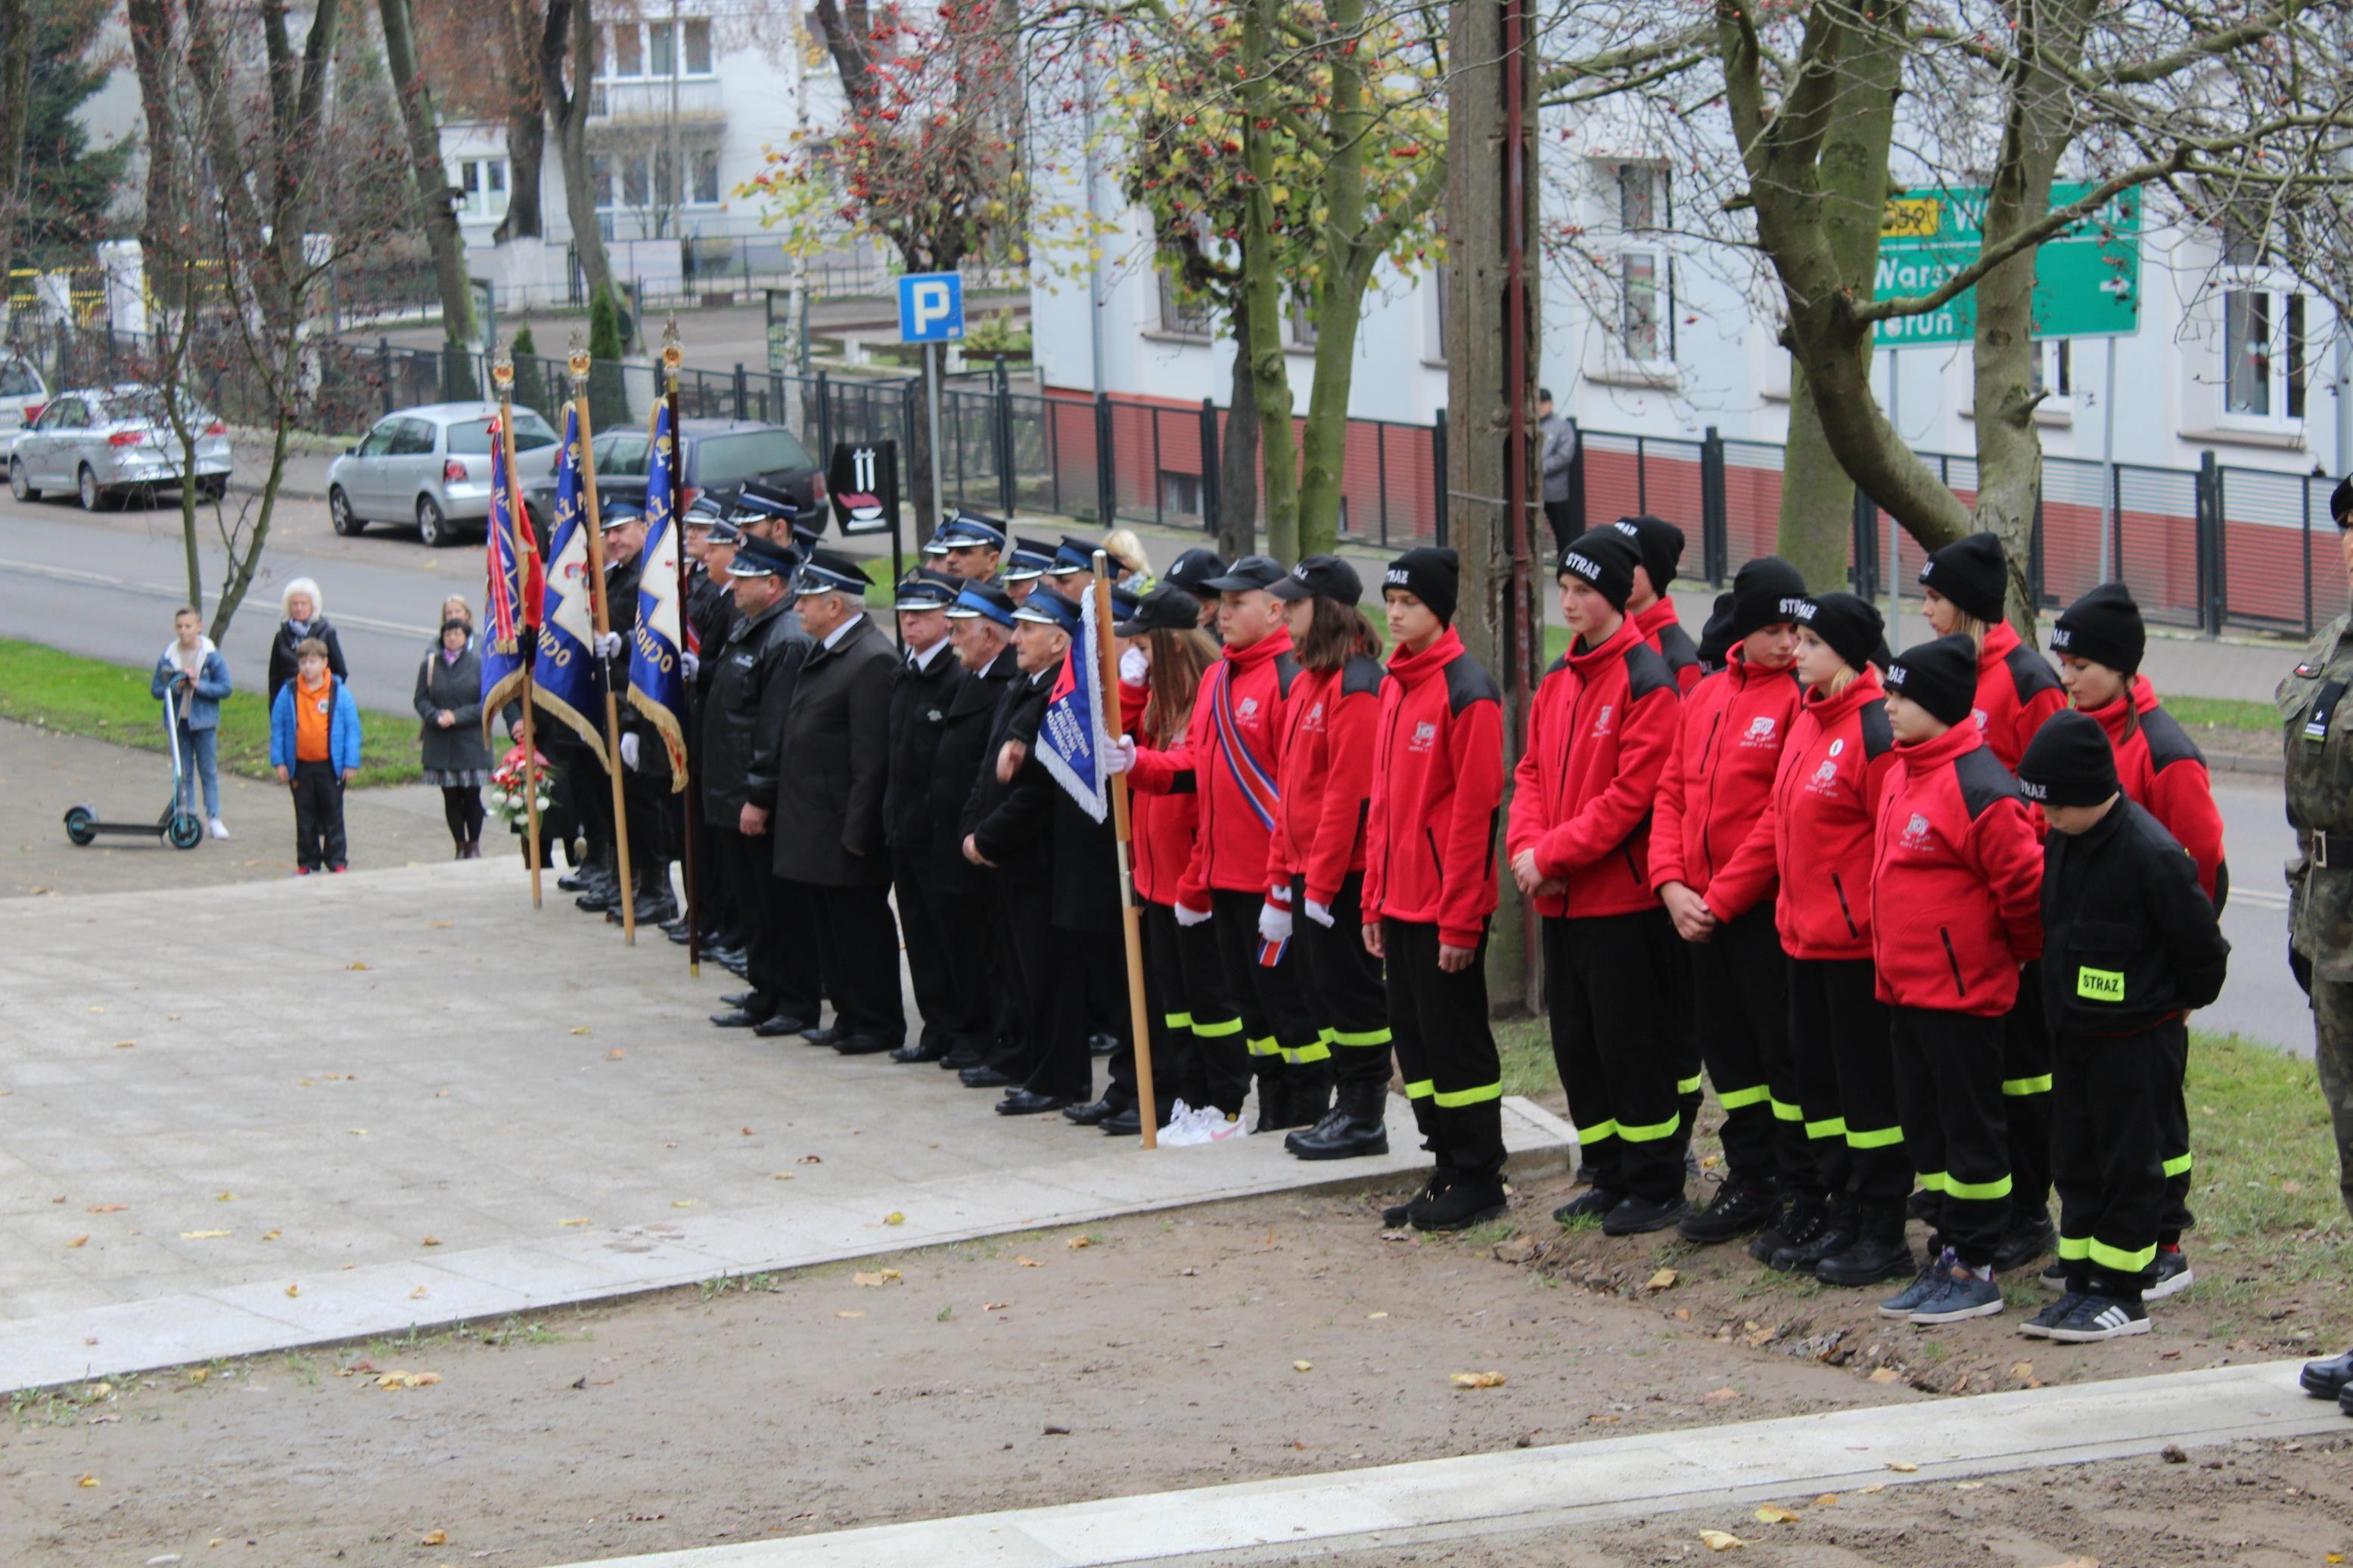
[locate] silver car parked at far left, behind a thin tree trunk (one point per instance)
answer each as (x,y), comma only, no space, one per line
(109,443)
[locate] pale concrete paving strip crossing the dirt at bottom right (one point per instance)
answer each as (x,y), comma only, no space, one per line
(1580,1485)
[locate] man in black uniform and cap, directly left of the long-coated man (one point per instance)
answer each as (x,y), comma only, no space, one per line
(752,688)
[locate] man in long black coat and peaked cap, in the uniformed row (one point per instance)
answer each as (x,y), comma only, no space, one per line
(829,805)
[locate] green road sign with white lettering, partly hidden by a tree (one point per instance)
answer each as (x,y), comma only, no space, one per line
(2088,279)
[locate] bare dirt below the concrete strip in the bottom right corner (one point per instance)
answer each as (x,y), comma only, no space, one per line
(2260,1506)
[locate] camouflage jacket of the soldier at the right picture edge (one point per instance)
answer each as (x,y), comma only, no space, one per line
(2321,800)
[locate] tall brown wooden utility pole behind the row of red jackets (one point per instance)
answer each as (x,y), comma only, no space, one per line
(1493,497)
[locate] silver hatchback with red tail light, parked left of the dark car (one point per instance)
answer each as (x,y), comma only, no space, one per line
(432,467)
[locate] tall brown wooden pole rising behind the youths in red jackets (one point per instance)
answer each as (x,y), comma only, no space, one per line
(1481,403)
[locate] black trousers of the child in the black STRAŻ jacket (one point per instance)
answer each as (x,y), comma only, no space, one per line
(2107,1155)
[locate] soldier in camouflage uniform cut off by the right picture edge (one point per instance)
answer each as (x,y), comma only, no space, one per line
(2319,725)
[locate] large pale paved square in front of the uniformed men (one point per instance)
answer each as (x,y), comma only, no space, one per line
(347,1068)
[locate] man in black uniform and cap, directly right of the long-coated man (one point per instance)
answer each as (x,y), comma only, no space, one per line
(919,716)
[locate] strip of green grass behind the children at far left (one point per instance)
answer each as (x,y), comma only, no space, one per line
(91,697)
